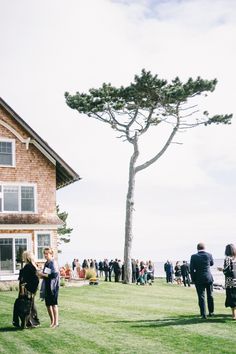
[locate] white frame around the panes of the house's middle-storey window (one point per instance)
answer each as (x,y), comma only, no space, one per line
(19,185)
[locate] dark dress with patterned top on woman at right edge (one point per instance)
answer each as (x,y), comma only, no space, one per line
(230,281)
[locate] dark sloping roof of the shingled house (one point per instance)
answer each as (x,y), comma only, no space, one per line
(64,173)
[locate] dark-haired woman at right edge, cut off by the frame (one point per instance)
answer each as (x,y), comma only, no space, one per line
(229,271)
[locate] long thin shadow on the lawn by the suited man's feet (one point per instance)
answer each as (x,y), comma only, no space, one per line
(177,321)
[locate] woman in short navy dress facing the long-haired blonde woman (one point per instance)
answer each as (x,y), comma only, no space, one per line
(50,286)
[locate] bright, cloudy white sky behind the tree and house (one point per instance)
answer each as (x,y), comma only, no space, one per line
(186,197)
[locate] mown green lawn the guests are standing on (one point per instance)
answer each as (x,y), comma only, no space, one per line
(117,318)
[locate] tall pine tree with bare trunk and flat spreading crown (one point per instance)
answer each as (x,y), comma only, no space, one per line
(148,102)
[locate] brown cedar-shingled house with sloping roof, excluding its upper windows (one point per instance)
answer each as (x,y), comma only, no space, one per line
(37,164)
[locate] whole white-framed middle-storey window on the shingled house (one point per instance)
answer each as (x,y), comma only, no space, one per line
(17,198)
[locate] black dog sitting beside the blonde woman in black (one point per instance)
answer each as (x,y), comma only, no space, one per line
(22,309)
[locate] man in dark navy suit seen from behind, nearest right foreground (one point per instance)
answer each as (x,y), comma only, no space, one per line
(200,264)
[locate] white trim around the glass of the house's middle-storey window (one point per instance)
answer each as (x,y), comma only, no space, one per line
(20,184)
